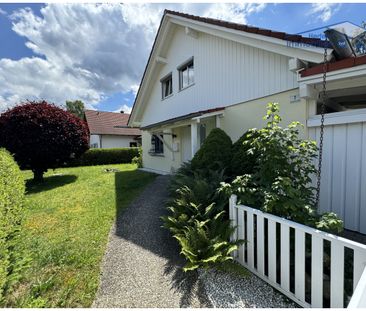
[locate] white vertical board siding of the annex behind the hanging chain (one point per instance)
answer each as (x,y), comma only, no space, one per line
(343,181)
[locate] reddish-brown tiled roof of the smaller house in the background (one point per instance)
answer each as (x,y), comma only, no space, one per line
(109,123)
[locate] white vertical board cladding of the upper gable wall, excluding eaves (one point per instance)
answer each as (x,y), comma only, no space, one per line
(226,73)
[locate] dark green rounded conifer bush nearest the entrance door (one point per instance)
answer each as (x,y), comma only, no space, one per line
(215,152)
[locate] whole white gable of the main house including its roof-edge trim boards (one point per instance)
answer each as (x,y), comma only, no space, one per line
(230,68)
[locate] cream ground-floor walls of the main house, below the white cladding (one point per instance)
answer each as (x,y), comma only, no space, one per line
(237,119)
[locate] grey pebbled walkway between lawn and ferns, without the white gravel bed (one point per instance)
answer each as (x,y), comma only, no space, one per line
(142,267)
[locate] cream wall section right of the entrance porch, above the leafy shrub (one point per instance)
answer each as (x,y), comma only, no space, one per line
(240,118)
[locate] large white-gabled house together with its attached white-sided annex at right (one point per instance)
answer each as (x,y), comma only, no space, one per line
(204,73)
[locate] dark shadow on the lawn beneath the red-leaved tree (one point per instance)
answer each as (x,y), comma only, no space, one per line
(49,183)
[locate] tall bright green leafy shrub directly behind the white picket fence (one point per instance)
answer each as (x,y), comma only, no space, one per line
(281,180)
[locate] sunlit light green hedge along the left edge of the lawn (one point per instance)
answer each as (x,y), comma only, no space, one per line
(11,213)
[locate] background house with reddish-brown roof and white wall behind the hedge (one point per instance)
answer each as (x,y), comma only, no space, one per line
(109,130)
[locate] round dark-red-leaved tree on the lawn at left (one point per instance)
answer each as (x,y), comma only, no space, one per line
(42,136)
